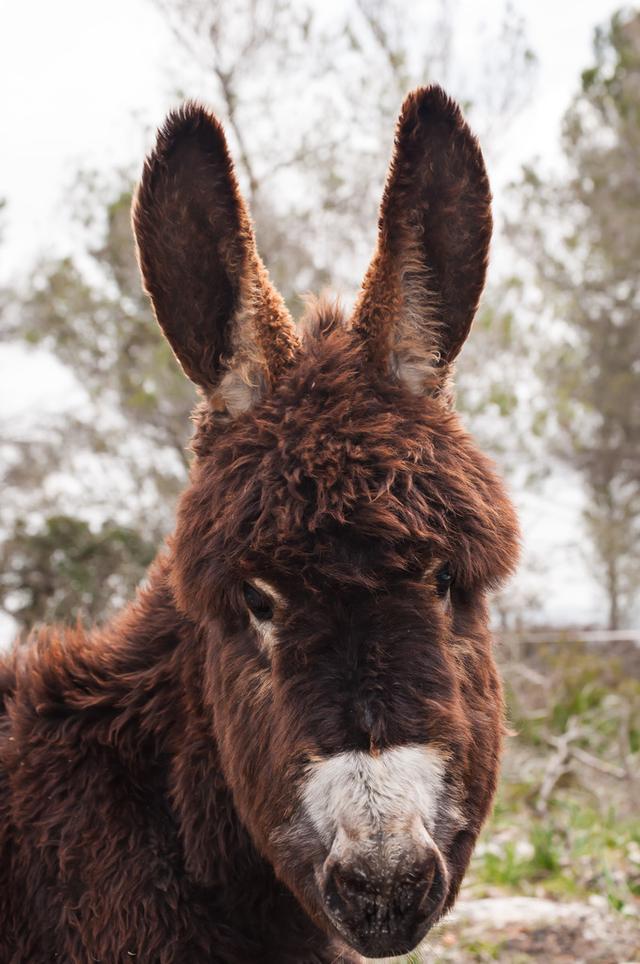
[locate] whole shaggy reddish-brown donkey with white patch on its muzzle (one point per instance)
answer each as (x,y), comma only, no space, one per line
(284,749)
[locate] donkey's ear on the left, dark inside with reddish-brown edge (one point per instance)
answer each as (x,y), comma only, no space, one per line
(211,294)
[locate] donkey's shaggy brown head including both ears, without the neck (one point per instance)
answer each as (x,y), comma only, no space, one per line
(341,530)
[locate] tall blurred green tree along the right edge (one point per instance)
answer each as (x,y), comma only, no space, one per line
(580,232)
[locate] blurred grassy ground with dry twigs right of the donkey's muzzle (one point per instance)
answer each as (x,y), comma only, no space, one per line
(584,840)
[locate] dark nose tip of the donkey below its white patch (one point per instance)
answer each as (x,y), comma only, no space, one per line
(384,910)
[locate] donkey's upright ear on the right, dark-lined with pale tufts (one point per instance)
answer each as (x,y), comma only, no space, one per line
(422,288)
